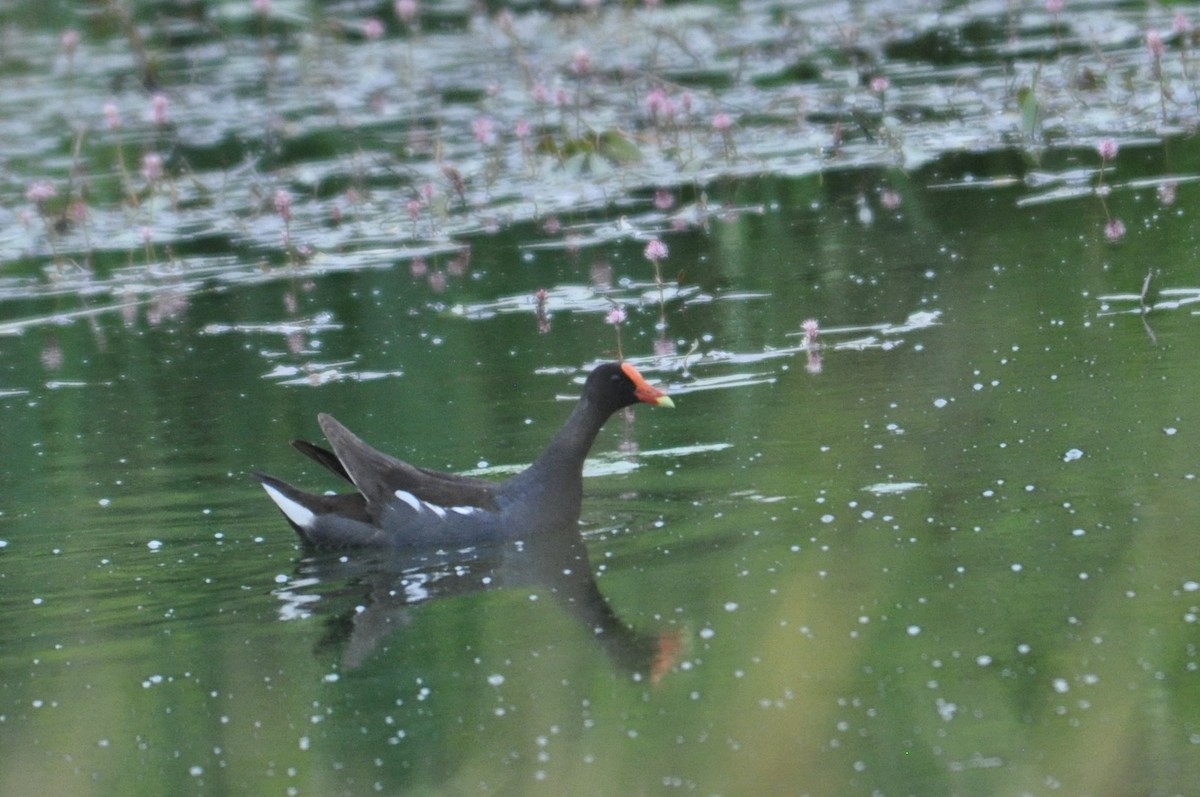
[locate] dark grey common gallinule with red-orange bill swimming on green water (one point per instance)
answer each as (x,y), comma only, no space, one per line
(404,505)
